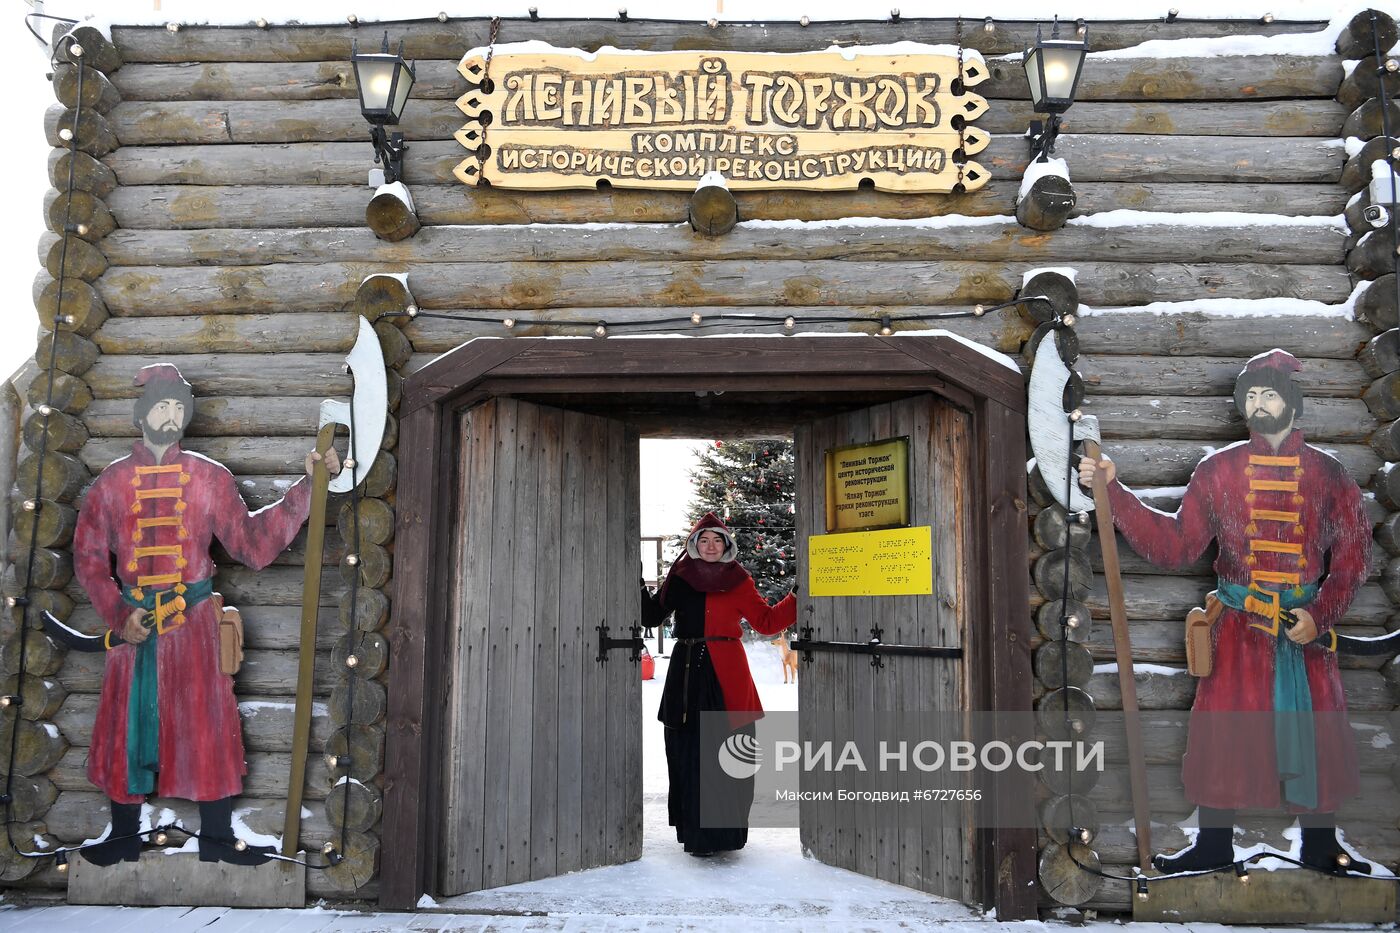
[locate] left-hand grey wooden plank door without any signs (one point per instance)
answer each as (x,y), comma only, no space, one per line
(542,745)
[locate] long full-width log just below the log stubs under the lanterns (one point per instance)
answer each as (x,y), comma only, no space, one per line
(1286,243)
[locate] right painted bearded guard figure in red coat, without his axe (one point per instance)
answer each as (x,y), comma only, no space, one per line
(1269,726)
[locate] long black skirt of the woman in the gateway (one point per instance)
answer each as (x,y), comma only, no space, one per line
(709,809)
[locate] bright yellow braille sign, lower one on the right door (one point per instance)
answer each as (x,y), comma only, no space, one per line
(894,562)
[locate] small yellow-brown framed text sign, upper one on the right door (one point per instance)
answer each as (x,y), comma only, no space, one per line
(867,485)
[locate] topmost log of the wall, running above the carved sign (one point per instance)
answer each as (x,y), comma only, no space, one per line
(432,40)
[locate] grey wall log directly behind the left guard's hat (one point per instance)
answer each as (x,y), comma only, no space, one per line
(223,375)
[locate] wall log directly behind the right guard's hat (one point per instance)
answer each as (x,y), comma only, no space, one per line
(1186,376)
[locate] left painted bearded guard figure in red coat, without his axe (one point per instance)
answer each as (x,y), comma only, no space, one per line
(167,724)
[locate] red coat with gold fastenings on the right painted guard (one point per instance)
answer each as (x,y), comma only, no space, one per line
(1279,518)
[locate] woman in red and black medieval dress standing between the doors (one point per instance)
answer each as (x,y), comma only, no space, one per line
(710,593)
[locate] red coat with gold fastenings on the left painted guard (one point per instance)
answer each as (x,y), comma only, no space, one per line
(159,522)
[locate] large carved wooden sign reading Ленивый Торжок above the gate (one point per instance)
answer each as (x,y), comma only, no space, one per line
(664,120)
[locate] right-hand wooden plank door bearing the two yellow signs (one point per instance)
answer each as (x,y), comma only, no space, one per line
(932,854)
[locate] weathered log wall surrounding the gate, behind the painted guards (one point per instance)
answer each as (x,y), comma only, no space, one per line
(220,181)
